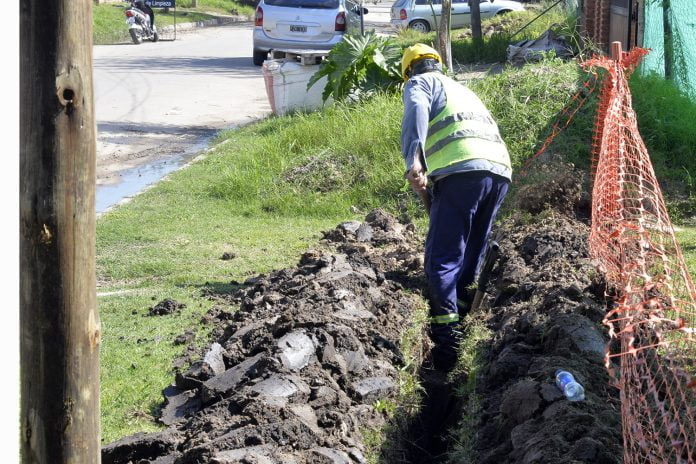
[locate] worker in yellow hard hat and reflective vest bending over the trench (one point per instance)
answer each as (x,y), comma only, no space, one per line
(450,141)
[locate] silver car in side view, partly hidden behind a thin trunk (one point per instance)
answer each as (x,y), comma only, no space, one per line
(418,15)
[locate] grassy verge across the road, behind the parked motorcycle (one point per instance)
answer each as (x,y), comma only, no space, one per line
(109,21)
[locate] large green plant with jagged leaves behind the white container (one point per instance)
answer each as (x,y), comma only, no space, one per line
(358,66)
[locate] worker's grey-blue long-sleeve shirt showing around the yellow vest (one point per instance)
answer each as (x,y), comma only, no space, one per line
(424,97)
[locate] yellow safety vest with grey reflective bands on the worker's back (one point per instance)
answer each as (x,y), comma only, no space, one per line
(463,130)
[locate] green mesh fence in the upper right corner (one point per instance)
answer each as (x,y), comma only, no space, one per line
(670,31)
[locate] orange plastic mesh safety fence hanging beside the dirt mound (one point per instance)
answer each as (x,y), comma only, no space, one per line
(653,322)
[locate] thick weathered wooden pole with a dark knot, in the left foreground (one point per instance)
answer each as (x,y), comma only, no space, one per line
(59,322)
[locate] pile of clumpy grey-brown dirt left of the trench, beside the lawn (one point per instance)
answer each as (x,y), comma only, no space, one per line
(293,375)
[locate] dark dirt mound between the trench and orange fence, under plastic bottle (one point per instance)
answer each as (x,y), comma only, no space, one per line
(546,307)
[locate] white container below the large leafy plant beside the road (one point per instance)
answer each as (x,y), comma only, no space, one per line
(286,86)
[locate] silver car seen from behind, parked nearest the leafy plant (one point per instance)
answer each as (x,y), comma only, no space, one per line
(303,25)
